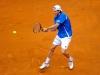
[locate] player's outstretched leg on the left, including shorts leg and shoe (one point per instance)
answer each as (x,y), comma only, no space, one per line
(46,63)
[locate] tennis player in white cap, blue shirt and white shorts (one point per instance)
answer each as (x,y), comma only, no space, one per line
(63,37)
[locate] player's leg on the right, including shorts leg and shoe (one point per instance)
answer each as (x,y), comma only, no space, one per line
(64,45)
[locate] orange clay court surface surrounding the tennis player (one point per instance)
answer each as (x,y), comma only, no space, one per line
(22,53)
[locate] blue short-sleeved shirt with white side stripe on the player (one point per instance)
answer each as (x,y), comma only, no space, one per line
(64,28)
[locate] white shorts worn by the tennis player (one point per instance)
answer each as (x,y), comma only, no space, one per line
(63,42)
